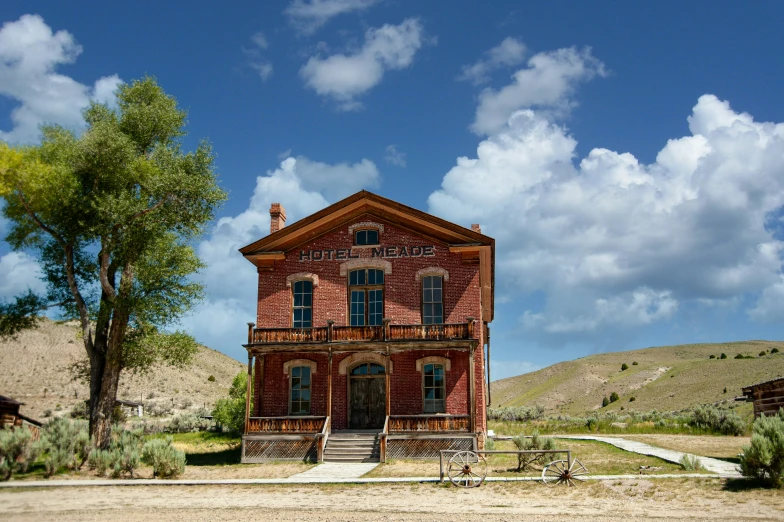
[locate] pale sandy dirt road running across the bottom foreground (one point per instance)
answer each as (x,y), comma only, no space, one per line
(606,501)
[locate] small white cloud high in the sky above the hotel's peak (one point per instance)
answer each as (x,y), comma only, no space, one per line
(344,77)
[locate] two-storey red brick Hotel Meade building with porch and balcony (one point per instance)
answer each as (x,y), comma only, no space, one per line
(370,336)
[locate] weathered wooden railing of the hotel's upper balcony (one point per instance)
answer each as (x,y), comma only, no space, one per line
(341,334)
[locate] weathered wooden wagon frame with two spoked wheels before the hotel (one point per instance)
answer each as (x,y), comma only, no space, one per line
(468,469)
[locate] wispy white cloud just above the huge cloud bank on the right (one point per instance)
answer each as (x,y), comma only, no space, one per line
(547,84)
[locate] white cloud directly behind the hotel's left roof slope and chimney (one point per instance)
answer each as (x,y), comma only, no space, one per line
(303,187)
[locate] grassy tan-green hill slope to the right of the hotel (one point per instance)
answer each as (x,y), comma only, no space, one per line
(665,378)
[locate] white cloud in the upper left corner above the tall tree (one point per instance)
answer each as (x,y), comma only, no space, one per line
(29,54)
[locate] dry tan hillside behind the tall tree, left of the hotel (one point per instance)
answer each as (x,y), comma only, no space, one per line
(33,370)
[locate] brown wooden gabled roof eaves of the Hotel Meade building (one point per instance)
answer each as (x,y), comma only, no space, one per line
(459,238)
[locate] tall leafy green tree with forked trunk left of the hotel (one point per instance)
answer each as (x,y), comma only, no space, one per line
(111,214)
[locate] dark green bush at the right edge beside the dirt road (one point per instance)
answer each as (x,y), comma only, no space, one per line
(764,458)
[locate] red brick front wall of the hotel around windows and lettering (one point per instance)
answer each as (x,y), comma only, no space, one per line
(402,306)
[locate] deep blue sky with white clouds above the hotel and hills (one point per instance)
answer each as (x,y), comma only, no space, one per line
(628,158)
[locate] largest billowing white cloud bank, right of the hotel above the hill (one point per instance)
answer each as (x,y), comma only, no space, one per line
(612,242)
